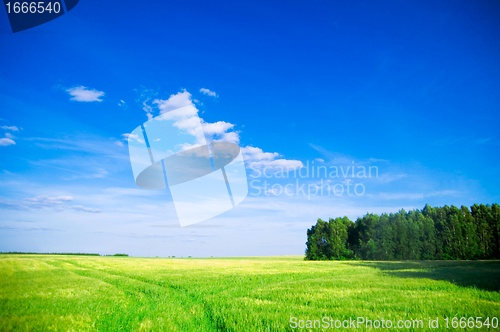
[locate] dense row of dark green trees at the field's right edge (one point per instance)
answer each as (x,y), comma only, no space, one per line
(433,233)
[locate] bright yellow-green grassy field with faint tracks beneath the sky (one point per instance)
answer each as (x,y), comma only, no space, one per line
(85,293)
